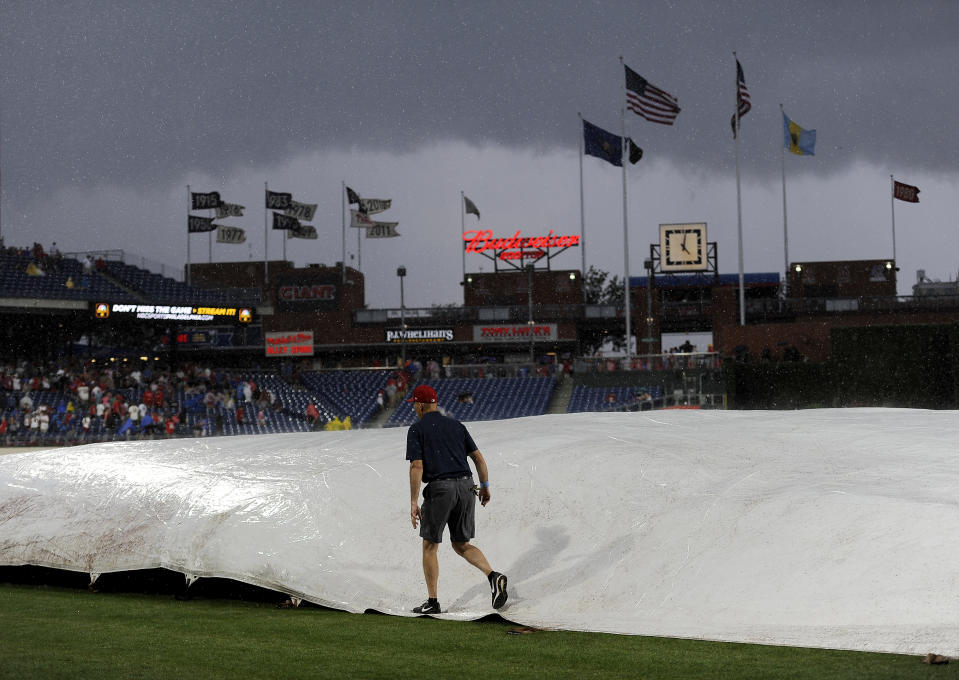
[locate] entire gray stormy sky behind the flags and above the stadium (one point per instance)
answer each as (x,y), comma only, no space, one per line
(109,110)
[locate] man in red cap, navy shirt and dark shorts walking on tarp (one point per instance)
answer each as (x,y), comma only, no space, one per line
(438,447)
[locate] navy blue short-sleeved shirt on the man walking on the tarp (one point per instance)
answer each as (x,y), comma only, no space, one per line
(442,443)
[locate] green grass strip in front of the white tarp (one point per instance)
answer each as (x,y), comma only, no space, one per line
(57,632)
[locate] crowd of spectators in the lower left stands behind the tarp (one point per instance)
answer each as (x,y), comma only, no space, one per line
(77,401)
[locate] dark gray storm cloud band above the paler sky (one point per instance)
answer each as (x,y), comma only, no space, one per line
(137,94)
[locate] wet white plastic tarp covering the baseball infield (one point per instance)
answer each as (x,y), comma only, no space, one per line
(819,528)
